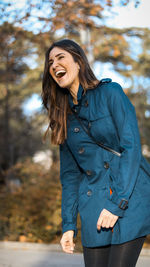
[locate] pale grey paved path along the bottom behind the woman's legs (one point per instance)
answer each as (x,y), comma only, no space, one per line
(25,257)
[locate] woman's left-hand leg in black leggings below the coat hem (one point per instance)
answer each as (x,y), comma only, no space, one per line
(96,257)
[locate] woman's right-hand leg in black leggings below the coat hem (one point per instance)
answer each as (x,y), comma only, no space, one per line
(126,254)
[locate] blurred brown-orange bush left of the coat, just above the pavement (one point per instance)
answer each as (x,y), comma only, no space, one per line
(31,210)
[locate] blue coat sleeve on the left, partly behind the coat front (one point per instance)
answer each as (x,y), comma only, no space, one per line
(69,177)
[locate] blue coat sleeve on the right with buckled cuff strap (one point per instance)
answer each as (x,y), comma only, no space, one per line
(125,121)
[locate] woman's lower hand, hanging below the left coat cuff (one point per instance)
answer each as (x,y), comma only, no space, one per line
(67,241)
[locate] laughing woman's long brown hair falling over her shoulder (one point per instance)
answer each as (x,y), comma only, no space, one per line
(55,98)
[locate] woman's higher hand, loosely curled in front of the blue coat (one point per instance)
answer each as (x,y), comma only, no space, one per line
(106,219)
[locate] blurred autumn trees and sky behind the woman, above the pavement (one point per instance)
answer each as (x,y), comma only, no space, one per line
(115,35)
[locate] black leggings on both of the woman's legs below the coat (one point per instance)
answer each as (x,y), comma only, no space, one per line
(122,255)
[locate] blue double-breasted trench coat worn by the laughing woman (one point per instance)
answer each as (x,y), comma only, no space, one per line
(87,171)
